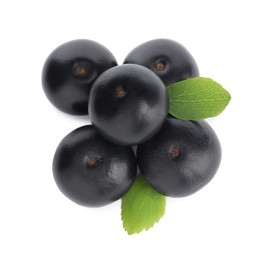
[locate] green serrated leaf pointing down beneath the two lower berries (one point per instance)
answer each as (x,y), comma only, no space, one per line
(142,207)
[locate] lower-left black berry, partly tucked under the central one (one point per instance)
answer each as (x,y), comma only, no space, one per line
(91,171)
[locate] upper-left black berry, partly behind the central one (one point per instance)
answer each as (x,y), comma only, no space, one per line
(69,72)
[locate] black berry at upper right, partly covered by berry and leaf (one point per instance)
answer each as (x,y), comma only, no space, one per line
(168,59)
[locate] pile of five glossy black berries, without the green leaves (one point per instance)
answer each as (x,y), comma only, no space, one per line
(128,107)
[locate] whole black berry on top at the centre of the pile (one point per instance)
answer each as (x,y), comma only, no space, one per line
(128,104)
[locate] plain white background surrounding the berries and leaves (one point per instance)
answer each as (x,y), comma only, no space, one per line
(225,220)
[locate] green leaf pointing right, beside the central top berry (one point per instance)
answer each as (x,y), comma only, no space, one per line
(197,98)
